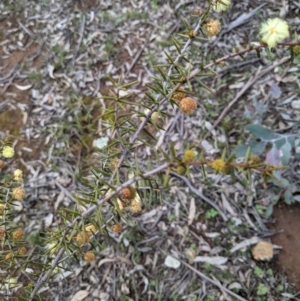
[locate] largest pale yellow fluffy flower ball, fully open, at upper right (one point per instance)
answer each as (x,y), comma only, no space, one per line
(274,31)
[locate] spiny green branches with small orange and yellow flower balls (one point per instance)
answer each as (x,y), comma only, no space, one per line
(111,193)
